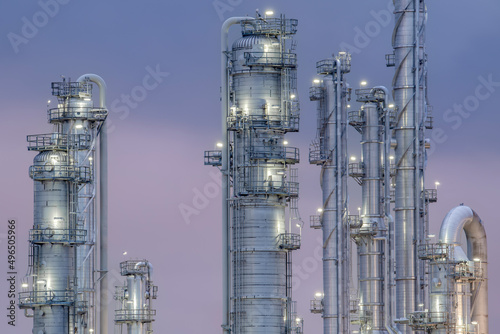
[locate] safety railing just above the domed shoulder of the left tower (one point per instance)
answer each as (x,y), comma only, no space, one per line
(58,141)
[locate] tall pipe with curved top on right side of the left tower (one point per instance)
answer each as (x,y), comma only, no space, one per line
(103,203)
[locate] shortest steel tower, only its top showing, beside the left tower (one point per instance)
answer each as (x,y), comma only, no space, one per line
(135,298)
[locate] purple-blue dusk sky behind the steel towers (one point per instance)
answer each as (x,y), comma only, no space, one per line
(157,141)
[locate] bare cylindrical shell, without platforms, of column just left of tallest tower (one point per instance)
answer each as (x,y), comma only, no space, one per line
(368,239)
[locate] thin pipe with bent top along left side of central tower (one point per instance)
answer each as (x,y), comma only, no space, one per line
(225,171)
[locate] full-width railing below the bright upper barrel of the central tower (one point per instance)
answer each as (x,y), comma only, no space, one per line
(278,122)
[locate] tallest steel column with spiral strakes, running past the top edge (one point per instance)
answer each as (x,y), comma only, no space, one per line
(409,96)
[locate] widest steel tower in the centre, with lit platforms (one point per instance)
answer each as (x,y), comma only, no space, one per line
(262,106)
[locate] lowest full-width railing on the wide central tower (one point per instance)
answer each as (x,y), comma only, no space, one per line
(282,188)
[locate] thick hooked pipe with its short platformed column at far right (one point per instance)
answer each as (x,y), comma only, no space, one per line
(459,278)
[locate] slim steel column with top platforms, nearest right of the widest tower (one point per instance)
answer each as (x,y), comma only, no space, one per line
(329,151)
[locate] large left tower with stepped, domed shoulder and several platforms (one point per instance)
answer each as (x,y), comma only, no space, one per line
(59,287)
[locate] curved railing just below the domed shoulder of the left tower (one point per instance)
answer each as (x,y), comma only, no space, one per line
(81,174)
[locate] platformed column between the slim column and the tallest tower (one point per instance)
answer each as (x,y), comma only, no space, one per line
(370,232)
